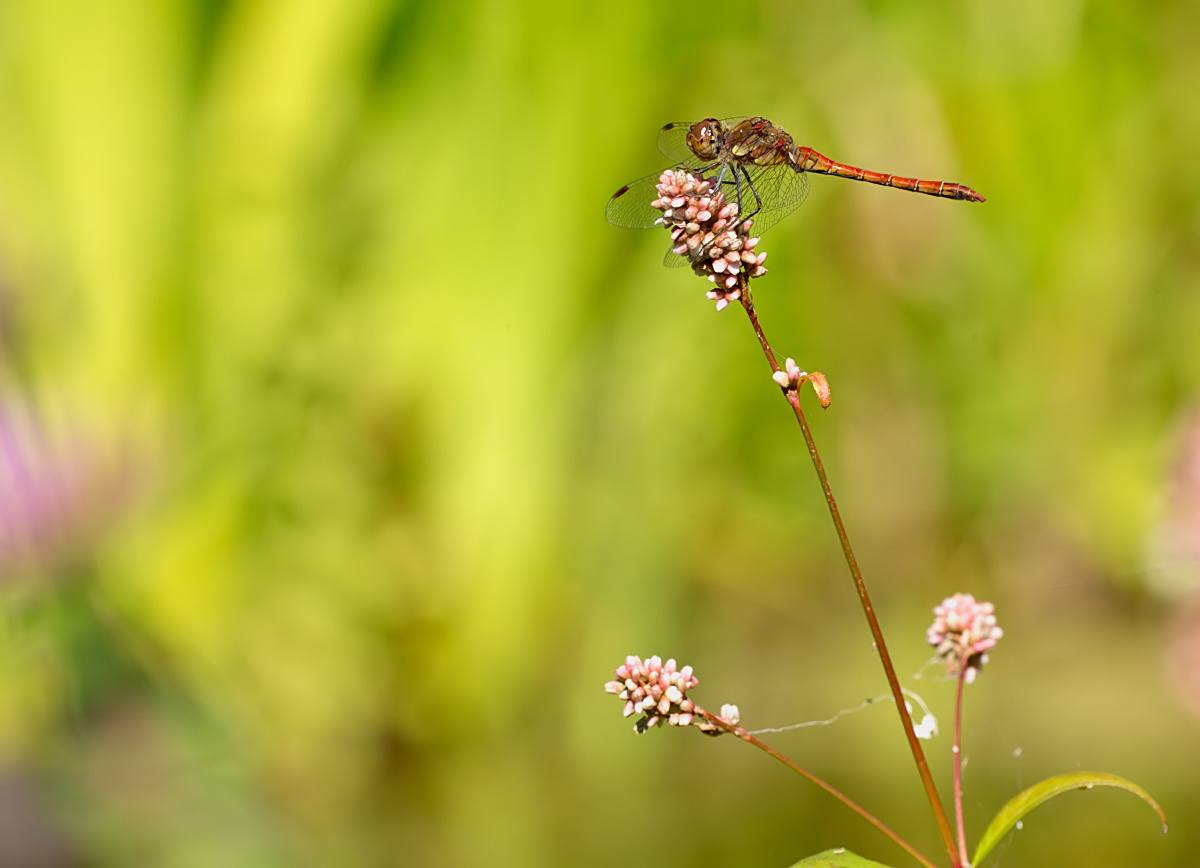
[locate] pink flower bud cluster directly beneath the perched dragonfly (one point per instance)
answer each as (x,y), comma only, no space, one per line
(705,230)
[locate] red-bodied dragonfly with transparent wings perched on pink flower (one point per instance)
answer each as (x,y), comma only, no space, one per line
(757,165)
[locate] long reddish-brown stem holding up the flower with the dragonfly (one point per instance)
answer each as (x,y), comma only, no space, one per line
(794,399)
